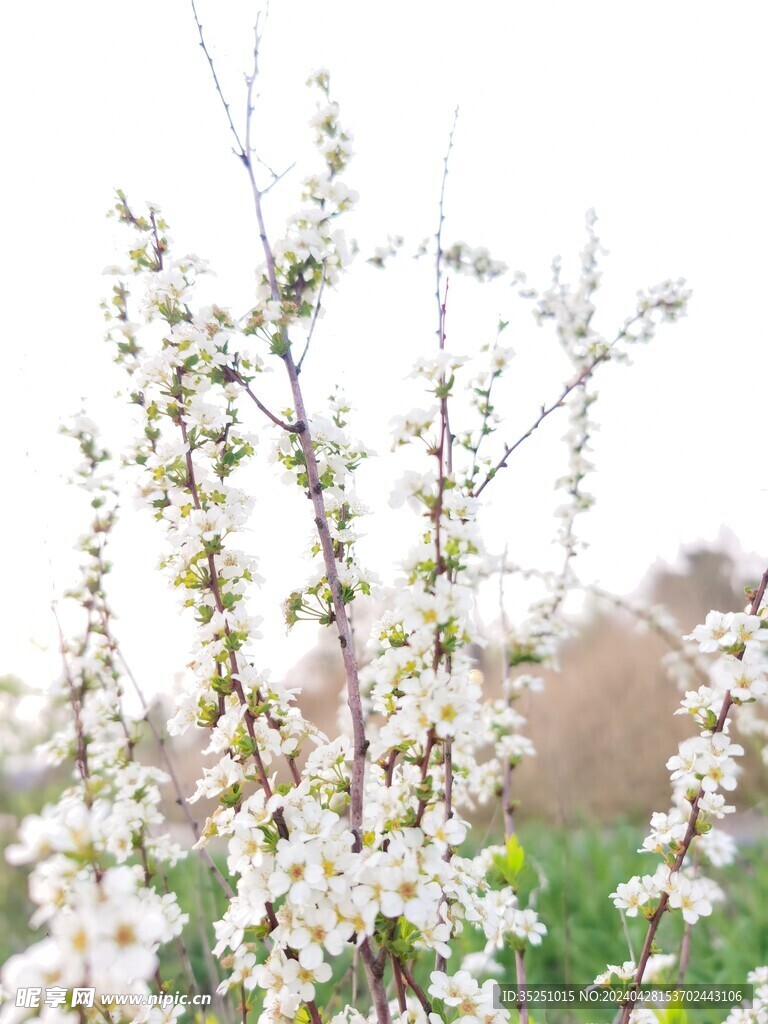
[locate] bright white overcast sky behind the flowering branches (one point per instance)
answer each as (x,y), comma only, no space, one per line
(653,113)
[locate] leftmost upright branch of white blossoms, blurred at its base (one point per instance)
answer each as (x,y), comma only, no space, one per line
(98,850)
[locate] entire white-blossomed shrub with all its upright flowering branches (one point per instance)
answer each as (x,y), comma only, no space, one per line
(343,850)
